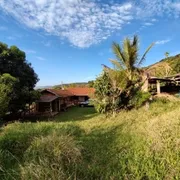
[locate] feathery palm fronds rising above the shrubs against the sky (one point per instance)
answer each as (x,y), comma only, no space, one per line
(128,58)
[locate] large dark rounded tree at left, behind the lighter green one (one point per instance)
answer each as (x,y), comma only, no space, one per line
(13,61)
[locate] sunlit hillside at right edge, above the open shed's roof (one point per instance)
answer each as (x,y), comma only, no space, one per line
(165,67)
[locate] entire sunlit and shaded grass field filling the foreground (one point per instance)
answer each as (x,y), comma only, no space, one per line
(81,144)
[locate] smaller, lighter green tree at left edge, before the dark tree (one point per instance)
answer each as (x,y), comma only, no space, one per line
(7,83)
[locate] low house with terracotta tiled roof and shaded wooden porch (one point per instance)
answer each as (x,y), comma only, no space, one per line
(56,100)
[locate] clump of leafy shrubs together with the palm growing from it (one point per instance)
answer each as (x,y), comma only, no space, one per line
(121,87)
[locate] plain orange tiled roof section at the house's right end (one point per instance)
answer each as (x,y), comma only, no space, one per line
(81,91)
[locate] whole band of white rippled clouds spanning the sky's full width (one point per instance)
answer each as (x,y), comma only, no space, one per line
(86,22)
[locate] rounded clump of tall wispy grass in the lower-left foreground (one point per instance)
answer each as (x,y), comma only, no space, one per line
(52,157)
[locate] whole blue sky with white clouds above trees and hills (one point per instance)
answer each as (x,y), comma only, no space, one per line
(67,41)
